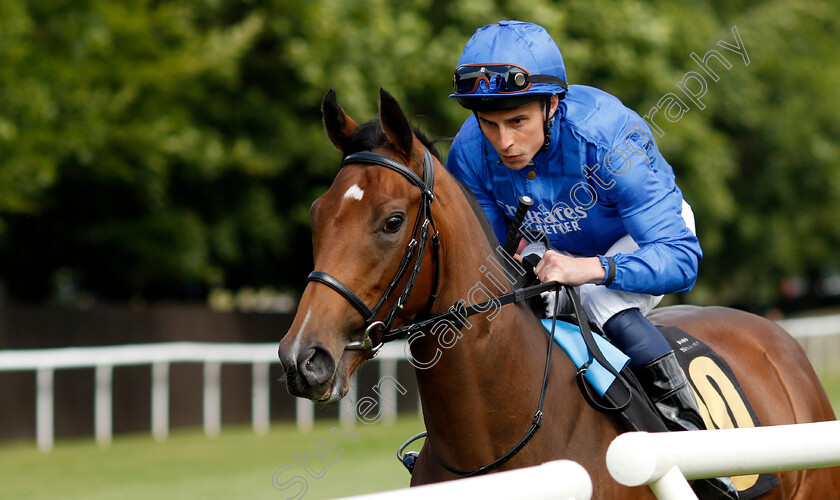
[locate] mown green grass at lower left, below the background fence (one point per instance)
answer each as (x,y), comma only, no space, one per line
(237,464)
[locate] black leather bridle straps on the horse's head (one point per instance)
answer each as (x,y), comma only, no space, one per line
(376,331)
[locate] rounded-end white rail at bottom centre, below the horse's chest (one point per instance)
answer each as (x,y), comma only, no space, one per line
(557,480)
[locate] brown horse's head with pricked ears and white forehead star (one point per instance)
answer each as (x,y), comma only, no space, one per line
(367,237)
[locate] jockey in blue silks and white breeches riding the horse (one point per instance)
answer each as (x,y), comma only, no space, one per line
(603,195)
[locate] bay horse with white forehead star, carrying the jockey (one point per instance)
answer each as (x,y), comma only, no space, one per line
(480,384)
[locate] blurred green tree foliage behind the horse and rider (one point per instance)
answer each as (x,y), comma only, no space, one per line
(160,149)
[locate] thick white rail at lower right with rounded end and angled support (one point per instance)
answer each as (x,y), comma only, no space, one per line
(665,461)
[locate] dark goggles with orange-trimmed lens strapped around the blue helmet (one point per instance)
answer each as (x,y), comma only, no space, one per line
(506,78)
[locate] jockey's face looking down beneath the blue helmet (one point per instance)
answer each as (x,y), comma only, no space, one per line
(516,134)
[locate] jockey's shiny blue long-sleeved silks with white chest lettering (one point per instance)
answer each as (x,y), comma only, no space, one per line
(601,178)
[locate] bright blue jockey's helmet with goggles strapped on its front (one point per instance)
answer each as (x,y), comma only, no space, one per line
(507,65)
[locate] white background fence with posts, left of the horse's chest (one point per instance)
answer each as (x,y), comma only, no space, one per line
(160,356)
